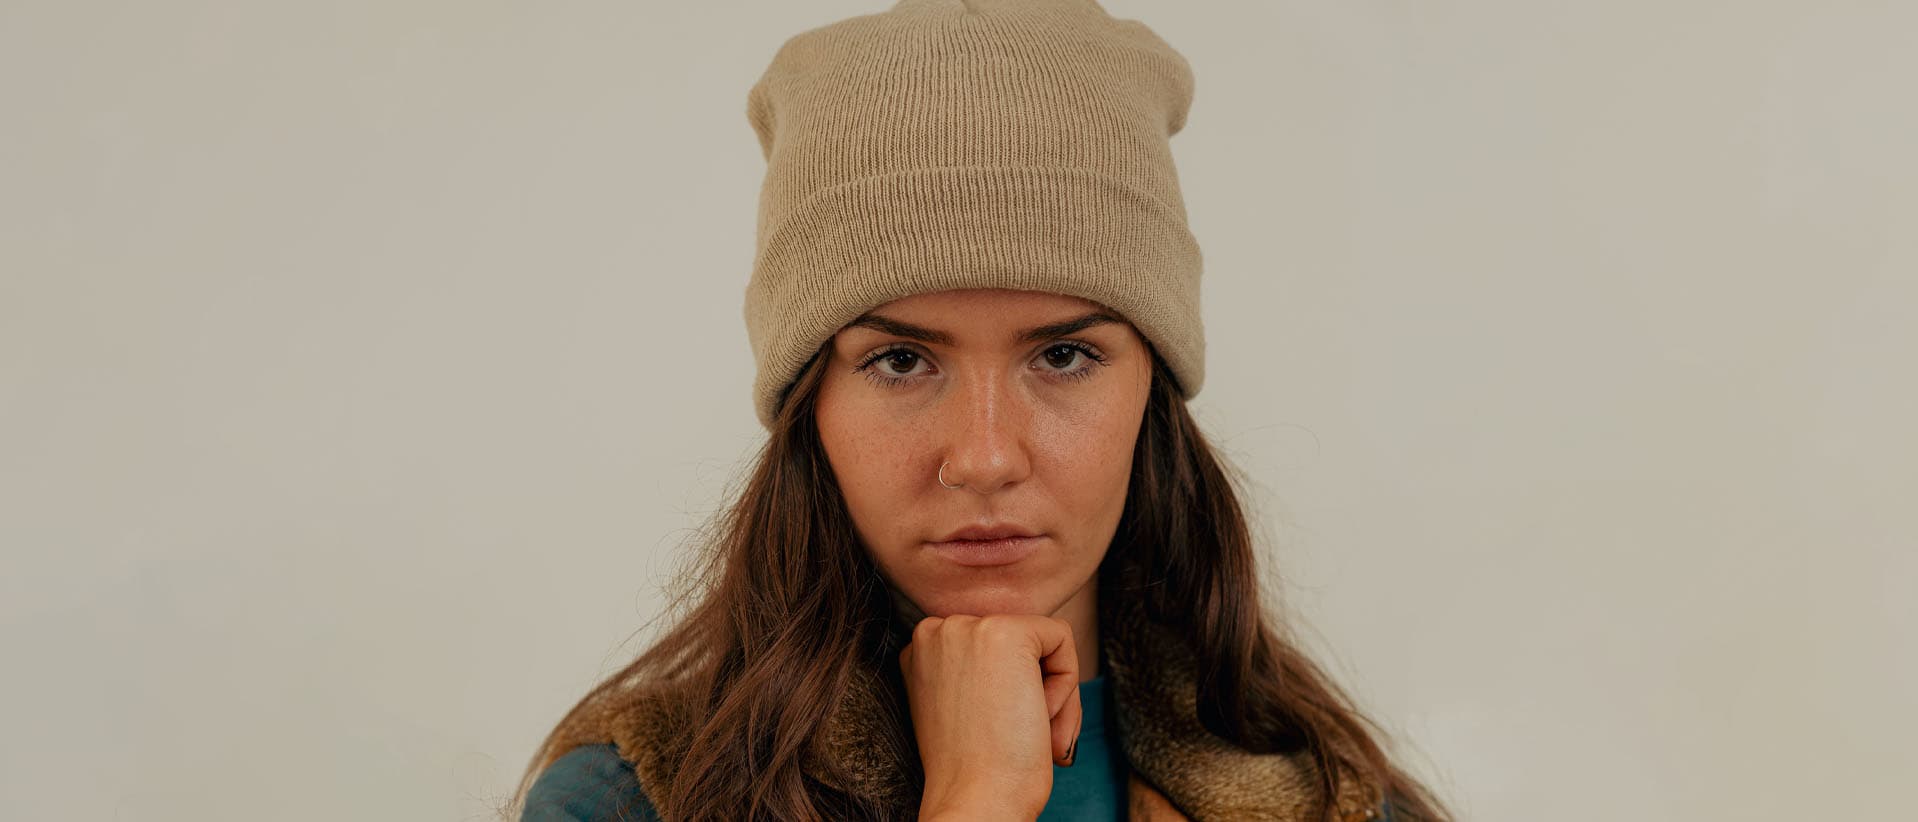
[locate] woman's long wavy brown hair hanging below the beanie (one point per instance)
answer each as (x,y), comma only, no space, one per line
(787,603)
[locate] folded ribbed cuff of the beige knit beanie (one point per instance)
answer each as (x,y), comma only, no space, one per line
(1069,231)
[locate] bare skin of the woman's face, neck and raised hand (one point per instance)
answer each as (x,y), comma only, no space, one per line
(1031,445)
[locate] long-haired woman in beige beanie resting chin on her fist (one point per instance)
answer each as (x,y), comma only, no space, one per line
(987,566)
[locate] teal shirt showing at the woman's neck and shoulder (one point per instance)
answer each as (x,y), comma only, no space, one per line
(594,785)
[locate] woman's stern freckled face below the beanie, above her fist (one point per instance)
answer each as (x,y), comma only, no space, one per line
(1037,422)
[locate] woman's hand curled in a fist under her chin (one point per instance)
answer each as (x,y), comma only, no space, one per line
(994,708)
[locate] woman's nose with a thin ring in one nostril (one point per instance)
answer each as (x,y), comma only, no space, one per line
(987,422)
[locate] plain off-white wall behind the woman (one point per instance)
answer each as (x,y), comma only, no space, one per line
(365,367)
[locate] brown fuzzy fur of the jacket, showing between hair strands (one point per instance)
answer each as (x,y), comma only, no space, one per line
(1179,771)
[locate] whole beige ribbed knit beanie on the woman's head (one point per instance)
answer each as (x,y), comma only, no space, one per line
(948,145)
